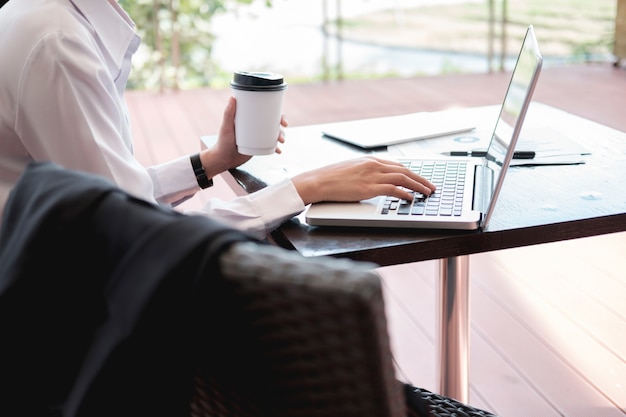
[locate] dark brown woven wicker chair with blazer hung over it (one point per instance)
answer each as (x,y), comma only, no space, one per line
(294,336)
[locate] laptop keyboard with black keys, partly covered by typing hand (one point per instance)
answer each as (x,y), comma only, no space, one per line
(447,200)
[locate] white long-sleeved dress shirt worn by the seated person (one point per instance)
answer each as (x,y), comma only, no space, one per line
(65,65)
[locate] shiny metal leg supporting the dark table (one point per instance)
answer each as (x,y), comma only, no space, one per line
(454,327)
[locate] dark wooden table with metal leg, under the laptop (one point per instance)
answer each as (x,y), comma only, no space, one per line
(538,204)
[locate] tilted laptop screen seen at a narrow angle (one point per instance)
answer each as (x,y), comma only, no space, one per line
(514,106)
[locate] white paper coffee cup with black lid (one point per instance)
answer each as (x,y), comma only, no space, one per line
(259,98)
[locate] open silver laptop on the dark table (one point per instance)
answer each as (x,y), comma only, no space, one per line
(467,187)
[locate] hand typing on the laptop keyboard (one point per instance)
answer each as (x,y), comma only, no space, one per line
(359,179)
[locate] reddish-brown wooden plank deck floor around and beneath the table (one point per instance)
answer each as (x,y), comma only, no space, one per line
(548,333)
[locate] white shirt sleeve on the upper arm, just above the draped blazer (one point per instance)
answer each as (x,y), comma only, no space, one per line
(69,111)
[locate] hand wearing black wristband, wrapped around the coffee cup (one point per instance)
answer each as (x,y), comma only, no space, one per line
(224,155)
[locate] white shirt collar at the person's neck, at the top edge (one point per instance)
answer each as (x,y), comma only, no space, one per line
(112,24)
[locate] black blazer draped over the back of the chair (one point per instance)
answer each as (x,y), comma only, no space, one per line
(101,295)
